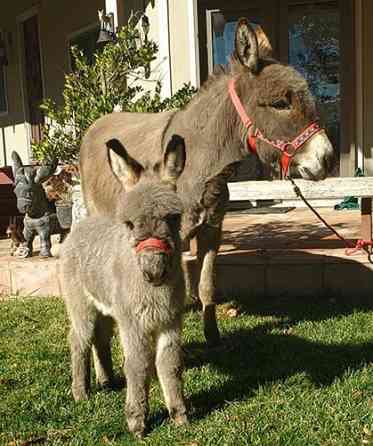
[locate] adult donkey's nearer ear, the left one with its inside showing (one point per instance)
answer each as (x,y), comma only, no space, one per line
(246,45)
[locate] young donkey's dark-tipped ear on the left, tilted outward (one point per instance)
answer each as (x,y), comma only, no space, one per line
(124,167)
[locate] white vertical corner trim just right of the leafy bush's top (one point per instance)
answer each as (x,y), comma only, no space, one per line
(164,47)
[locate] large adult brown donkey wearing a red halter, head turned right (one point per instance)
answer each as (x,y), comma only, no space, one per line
(261,106)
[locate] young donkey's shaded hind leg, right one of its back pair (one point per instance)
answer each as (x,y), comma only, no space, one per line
(102,350)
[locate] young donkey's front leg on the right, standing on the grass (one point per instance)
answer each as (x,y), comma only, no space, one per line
(169,369)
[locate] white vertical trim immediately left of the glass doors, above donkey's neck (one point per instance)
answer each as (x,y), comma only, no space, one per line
(194,63)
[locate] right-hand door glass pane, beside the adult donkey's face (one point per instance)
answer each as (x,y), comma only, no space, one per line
(314,50)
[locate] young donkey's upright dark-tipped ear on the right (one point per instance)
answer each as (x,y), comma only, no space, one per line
(173,160)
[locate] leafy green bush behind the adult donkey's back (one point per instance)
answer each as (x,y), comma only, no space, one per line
(93,90)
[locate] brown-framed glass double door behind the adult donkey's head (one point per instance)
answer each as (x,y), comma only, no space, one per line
(316,37)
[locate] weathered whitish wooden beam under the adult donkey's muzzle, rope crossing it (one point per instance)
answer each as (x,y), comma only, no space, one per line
(283,190)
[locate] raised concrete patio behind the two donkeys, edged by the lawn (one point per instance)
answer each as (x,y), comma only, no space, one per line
(274,254)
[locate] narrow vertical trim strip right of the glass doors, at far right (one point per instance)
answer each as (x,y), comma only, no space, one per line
(359,85)
